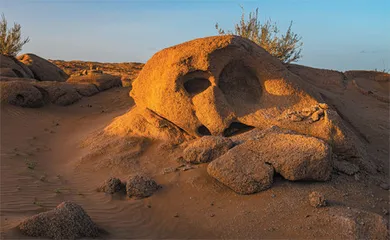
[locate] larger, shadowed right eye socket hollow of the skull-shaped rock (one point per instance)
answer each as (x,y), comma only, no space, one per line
(240,85)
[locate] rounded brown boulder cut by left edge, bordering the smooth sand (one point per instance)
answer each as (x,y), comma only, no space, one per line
(21,93)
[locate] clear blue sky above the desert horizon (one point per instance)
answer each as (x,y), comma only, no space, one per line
(337,34)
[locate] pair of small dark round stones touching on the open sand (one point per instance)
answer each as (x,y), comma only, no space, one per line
(137,186)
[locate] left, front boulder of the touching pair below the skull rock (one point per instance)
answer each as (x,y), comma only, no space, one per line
(242,171)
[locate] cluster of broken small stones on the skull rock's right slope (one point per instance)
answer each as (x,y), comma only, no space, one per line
(312,114)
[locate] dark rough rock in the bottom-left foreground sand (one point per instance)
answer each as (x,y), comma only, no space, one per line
(67,221)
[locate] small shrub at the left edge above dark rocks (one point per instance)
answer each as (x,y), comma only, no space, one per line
(10,39)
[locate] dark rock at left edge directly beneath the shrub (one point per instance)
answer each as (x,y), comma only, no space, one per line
(19,69)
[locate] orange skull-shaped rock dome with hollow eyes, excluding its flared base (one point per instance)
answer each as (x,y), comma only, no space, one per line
(207,85)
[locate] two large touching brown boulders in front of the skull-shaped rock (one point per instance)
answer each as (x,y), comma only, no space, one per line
(249,167)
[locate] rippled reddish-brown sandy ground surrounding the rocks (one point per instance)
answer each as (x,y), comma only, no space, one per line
(40,167)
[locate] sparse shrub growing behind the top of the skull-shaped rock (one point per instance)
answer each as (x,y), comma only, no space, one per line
(287,48)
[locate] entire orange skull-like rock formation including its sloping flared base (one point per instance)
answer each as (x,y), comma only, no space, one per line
(225,85)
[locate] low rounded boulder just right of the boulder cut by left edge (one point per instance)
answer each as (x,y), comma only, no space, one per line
(58,93)
